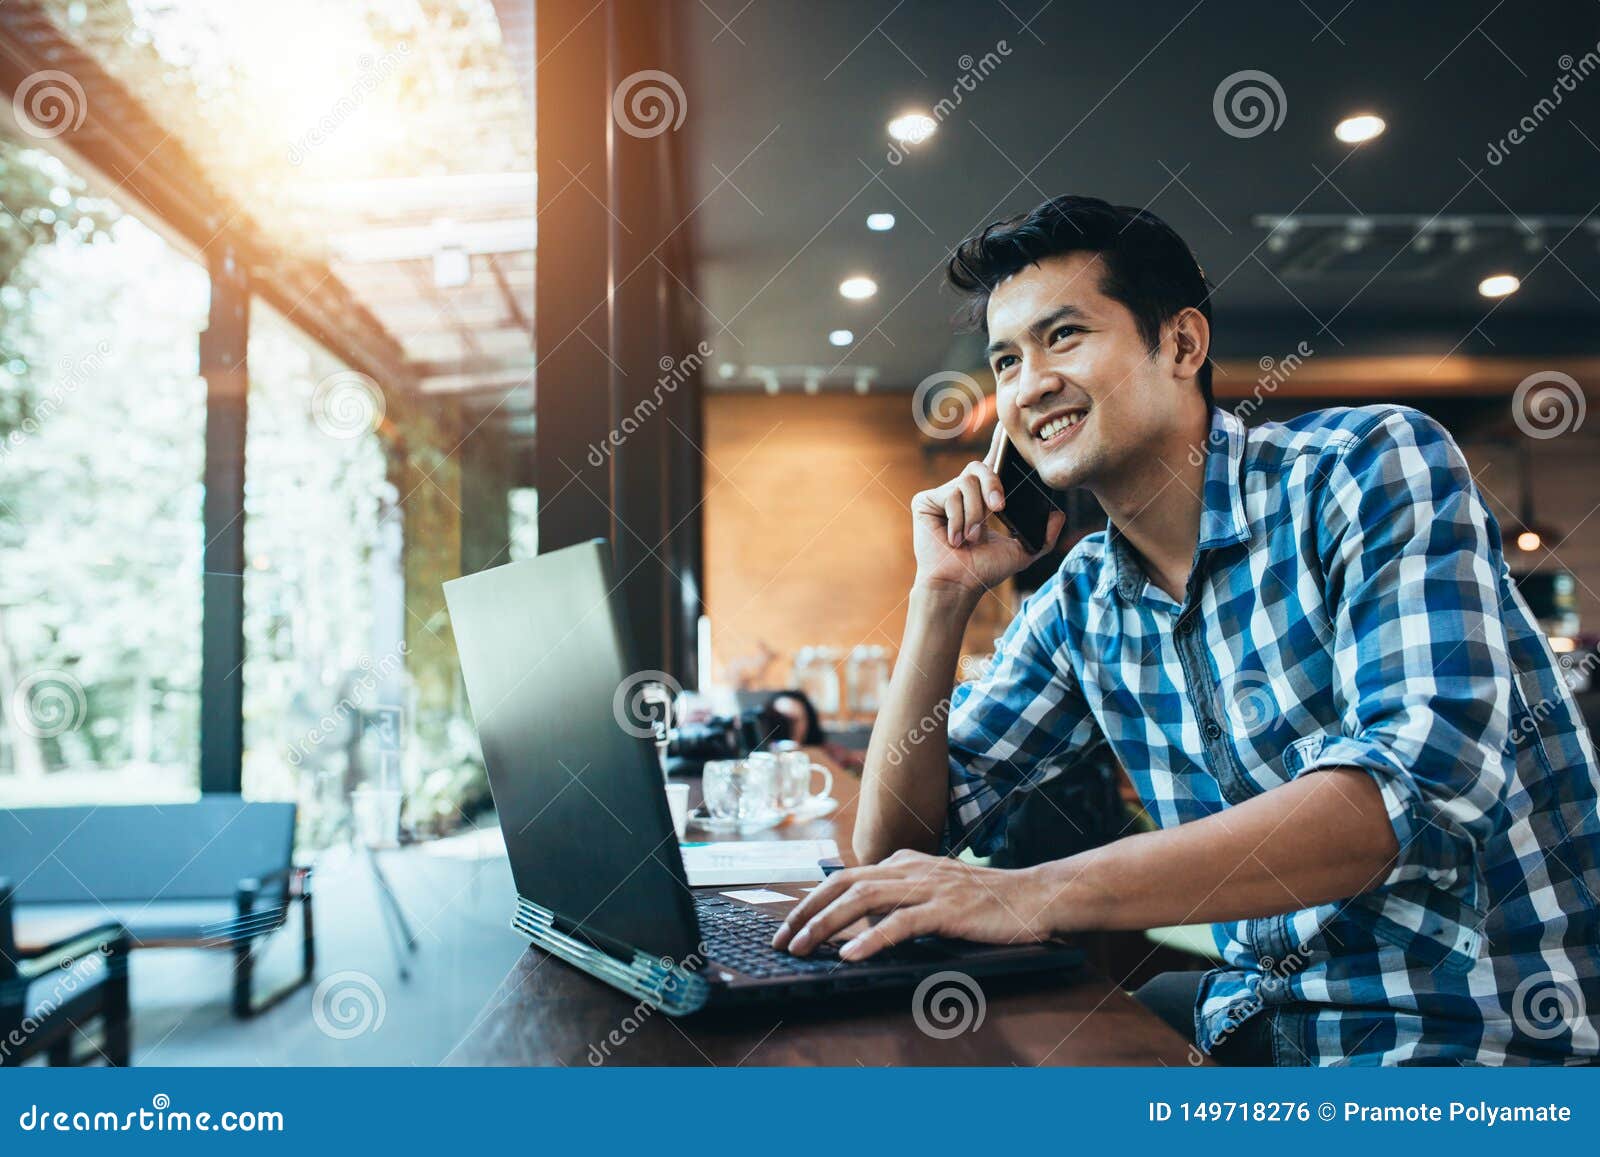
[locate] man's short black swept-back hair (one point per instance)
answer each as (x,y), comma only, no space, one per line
(1148,266)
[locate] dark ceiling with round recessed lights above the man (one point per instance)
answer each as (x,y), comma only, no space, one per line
(786,118)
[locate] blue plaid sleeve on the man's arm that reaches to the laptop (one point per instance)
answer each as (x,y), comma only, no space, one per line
(1423,676)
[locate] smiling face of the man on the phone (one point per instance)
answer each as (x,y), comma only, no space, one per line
(1079,393)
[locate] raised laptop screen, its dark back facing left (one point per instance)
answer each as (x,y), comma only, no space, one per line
(580,798)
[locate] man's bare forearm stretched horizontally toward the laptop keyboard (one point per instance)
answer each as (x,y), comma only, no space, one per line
(1318,839)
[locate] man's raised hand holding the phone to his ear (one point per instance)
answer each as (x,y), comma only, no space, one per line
(953,545)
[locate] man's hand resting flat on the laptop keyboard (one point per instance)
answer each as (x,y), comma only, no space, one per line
(919,895)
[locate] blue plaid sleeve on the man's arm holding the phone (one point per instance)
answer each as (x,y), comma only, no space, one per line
(1023,719)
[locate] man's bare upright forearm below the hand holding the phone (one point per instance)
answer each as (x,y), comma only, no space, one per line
(906,782)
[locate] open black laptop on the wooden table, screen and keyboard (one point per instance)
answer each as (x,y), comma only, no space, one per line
(601,884)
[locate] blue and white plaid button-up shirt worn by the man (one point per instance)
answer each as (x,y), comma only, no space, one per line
(1350,607)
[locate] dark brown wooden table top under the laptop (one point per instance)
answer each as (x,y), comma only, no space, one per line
(546,1012)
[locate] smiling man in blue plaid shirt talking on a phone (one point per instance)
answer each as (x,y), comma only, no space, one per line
(1303,646)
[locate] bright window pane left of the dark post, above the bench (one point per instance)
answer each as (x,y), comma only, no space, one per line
(103,426)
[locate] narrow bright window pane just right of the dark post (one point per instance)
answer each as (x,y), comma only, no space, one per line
(326,676)
